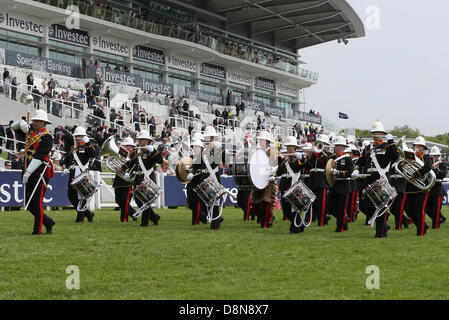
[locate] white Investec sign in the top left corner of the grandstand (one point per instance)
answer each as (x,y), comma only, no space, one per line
(21,23)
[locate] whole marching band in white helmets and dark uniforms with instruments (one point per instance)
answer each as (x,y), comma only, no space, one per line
(332,177)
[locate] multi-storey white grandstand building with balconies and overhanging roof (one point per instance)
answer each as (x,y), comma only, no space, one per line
(212,53)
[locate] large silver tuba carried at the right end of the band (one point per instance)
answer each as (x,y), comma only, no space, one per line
(408,164)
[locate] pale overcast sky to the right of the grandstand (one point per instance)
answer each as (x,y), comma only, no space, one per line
(397,73)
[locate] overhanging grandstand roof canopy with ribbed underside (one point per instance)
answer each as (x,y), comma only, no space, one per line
(287,24)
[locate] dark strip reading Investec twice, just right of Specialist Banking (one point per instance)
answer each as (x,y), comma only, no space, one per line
(133,80)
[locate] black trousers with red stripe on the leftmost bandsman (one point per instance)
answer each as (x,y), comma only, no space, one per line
(36,206)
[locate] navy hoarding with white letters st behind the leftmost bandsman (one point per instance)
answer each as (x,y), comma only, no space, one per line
(11,190)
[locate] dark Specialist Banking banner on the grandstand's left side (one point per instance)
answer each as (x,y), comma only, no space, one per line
(28,61)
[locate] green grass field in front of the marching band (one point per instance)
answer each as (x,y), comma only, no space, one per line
(240,261)
